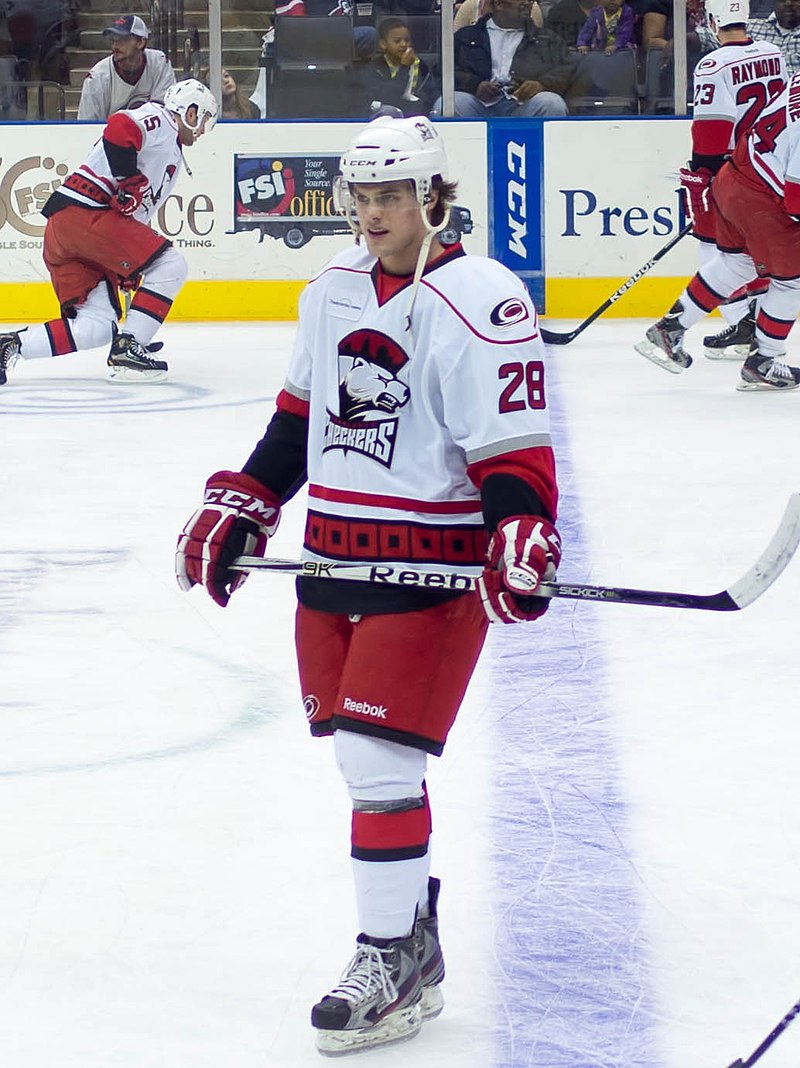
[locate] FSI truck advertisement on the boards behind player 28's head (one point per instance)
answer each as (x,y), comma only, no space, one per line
(292,198)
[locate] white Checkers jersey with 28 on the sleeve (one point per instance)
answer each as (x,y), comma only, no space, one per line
(397,418)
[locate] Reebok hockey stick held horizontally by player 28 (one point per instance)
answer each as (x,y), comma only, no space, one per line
(751,586)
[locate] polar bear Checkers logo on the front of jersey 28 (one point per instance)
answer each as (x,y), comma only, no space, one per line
(370,396)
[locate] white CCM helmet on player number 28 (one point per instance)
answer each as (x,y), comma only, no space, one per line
(397,150)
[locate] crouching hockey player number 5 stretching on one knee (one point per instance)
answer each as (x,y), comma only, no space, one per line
(98,240)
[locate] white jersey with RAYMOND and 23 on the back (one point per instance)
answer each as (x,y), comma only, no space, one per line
(732,87)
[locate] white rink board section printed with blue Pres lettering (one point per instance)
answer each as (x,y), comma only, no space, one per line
(611,191)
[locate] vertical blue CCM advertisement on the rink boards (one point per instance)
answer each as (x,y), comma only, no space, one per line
(515,154)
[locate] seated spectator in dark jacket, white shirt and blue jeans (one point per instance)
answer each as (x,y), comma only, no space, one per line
(506,67)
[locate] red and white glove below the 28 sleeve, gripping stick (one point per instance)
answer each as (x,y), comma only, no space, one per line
(524,552)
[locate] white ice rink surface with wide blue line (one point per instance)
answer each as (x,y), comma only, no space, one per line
(617,818)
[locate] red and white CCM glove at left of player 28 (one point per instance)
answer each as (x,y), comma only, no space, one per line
(238,517)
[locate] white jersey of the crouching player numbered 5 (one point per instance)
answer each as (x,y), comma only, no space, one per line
(160,160)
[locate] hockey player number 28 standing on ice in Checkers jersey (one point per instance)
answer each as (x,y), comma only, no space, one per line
(416,410)
